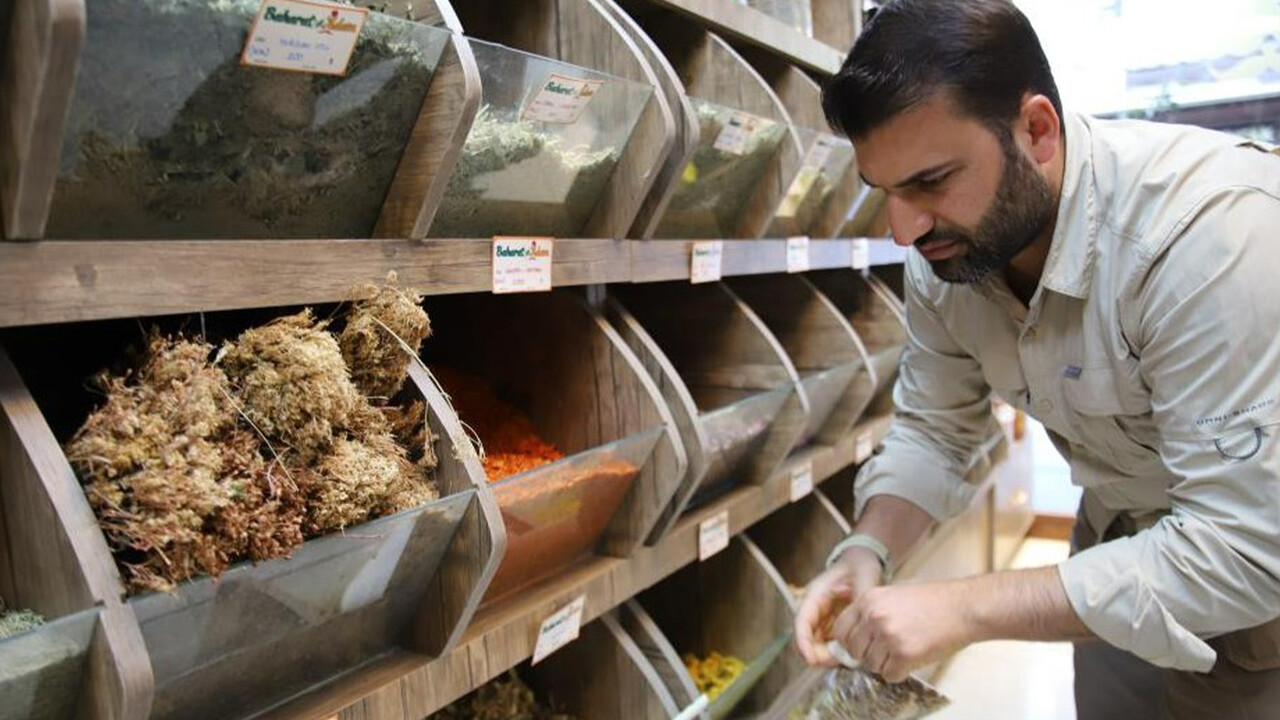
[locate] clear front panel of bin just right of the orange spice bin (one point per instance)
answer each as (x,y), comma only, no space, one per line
(733,432)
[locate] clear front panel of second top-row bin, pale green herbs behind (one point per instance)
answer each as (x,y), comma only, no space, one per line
(542,148)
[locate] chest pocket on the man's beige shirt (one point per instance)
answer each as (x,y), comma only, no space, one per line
(1112,412)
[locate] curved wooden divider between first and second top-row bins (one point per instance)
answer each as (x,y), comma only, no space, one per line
(435,145)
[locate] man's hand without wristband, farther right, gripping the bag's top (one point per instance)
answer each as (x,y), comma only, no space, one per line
(898,630)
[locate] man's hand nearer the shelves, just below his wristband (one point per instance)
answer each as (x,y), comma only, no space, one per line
(857,572)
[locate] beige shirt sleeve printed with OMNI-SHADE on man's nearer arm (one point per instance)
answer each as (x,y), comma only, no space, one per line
(1206,329)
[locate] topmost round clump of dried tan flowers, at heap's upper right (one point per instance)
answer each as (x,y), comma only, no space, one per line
(372,344)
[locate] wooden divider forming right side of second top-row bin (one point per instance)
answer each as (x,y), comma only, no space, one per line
(587,34)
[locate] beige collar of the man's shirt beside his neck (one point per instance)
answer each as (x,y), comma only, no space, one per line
(1073,250)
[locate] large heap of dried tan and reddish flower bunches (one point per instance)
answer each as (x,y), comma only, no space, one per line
(196,462)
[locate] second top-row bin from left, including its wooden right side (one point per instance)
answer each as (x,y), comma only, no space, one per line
(570,134)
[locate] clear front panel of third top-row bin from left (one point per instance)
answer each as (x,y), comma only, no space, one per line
(734,153)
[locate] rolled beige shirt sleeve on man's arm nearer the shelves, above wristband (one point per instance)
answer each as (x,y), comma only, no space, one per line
(943,416)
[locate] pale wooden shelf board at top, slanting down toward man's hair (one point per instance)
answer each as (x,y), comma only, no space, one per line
(752,26)
